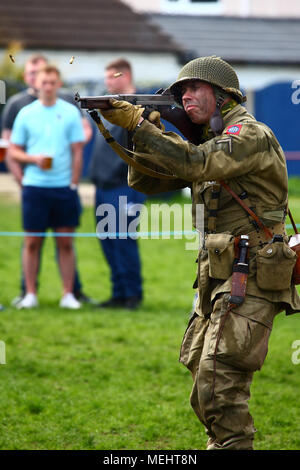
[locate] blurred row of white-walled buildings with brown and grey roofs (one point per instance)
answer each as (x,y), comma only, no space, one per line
(260,38)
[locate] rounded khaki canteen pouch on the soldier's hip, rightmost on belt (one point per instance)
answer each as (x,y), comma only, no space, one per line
(275,264)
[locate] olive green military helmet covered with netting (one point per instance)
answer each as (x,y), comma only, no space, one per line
(212,70)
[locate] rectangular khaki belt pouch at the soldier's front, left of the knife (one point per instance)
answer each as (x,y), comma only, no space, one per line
(220,247)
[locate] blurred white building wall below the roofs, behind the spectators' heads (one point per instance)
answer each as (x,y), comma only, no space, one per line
(151,69)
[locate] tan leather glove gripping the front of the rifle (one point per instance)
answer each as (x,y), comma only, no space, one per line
(123,114)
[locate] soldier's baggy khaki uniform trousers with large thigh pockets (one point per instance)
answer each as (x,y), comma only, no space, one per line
(222,378)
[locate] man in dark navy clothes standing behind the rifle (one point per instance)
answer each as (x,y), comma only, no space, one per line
(109,174)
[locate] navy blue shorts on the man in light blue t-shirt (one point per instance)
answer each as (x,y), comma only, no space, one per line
(49,208)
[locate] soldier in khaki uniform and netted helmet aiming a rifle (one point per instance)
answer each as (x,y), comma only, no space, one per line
(227,337)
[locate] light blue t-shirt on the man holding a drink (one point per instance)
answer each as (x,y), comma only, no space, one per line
(48,130)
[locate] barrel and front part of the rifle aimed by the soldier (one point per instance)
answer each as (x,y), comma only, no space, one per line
(102,102)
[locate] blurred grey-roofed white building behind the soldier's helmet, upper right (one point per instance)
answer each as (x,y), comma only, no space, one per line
(260,38)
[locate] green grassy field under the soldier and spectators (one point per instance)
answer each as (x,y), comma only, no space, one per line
(111,379)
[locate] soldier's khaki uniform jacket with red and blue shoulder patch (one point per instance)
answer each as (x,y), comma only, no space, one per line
(248,157)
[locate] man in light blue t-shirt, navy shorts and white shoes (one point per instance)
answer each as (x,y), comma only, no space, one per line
(49,127)
